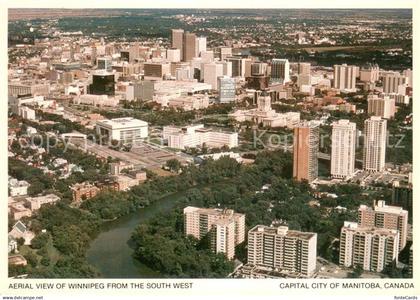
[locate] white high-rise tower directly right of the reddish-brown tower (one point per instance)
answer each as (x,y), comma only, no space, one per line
(343,148)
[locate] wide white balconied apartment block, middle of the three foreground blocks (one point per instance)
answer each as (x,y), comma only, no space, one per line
(283,249)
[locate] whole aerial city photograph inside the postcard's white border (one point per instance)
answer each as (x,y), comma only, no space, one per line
(210,143)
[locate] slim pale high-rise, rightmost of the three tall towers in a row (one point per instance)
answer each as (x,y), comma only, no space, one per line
(374,144)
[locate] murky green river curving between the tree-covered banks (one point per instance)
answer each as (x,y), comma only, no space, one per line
(110,252)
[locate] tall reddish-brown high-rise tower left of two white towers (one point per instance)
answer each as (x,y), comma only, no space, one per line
(305,151)
